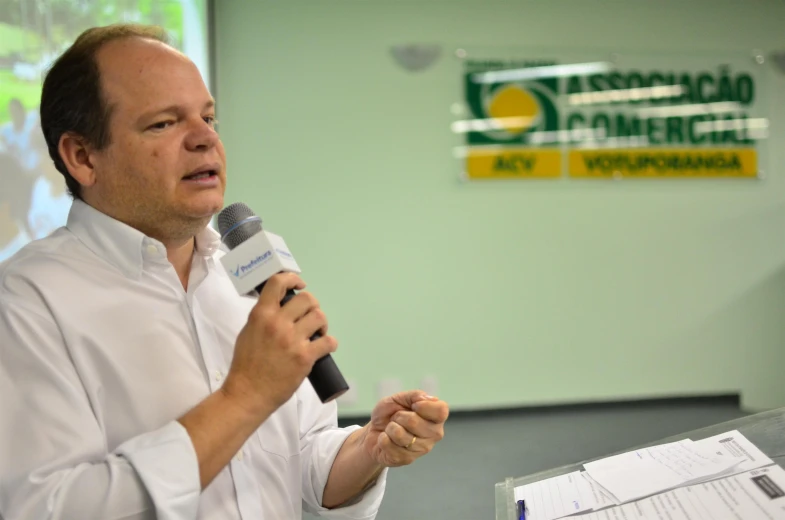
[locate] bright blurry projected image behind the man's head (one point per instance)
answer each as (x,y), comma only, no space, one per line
(33,197)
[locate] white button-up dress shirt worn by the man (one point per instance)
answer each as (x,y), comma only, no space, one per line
(101,350)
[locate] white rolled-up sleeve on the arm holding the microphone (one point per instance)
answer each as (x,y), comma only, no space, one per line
(53,454)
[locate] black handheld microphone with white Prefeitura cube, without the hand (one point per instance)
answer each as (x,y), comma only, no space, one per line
(254,256)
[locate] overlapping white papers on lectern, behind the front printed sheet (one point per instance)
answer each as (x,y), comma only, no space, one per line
(642,473)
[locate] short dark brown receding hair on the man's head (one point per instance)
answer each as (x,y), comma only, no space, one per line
(72,99)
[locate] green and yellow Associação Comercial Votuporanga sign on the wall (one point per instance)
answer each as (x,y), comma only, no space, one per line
(545,118)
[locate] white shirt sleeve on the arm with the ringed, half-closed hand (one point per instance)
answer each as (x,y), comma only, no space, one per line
(320,441)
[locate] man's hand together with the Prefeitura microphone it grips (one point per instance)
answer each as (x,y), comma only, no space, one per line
(285,337)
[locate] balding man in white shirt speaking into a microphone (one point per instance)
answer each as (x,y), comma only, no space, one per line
(134,381)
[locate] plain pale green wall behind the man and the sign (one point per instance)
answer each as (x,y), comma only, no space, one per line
(508,293)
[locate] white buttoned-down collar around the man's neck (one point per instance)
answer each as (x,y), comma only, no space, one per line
(123,246)
